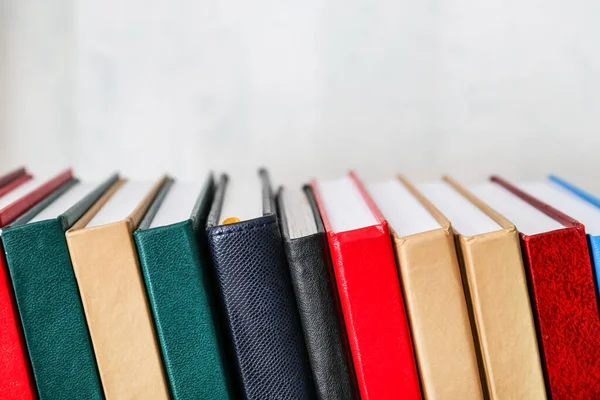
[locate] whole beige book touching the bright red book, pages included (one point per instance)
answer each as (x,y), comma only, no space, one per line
(433,291)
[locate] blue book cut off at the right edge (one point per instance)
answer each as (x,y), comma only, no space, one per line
(586,216)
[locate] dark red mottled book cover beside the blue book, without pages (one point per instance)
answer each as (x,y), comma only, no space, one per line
(564,303)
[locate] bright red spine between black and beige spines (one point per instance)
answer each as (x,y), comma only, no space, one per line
(374,314)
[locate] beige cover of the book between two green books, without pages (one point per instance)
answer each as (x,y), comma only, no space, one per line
(114,300)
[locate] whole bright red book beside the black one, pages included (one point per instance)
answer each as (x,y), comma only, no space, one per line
(369,290)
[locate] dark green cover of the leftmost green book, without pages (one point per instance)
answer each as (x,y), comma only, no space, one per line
(48,300)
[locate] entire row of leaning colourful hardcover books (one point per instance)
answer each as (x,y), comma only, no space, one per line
(341,289)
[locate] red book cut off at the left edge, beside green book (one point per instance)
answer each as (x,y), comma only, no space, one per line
(16,380)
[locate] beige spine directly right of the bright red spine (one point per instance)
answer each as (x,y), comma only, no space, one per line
(438,315)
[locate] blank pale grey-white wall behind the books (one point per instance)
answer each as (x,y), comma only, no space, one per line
(307,88)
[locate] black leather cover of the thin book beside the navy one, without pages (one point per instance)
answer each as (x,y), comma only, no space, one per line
(313,282)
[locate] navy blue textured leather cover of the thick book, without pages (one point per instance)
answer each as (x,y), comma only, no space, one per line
(257,301)
